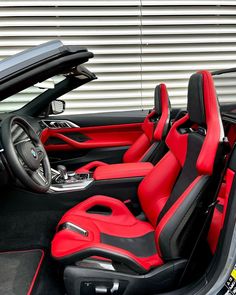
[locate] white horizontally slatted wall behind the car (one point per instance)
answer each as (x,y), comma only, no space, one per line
(137,44)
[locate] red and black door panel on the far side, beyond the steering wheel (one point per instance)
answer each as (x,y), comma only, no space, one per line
(99,137)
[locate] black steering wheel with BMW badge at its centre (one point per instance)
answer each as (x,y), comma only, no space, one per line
(27,159)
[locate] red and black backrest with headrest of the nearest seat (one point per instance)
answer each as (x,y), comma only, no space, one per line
(170,193)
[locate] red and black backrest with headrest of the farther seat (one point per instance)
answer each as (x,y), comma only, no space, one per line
(155,127)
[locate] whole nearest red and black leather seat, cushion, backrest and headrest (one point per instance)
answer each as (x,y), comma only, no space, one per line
(168,195)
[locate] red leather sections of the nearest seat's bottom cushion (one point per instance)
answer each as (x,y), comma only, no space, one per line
(120,221)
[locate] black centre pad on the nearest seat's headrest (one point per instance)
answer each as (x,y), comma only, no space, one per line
(196,107)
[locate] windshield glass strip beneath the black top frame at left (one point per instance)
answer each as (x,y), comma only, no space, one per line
(17,101)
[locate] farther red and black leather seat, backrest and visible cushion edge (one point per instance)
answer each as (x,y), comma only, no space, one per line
(155,127)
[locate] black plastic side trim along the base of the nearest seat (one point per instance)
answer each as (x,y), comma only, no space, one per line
(157,280)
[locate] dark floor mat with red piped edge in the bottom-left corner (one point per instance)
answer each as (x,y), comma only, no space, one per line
(18,271)
